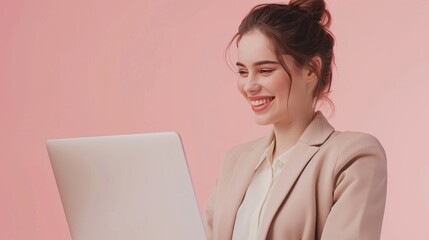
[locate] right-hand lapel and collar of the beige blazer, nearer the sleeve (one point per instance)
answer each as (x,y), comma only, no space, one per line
(309,143)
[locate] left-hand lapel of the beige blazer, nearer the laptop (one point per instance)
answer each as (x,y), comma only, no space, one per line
(242,175)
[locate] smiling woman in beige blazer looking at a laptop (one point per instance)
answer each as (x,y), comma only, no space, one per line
(305,180)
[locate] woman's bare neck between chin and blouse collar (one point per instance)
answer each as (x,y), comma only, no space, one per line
(287,134)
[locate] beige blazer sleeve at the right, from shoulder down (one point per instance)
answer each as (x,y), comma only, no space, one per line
(360,179)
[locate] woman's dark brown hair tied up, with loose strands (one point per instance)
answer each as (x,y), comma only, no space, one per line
(299,29)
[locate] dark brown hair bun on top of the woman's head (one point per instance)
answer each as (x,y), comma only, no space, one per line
(314,8)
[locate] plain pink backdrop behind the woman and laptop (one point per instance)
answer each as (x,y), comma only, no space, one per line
(100,67)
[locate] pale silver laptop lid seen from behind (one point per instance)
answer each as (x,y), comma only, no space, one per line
(126,187)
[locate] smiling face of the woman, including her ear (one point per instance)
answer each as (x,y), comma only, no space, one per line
(265,84)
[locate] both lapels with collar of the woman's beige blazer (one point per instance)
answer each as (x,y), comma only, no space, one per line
(308,144)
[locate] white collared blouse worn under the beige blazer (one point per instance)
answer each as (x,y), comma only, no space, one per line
(251,210)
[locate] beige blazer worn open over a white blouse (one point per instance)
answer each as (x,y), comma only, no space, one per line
(332,187)
